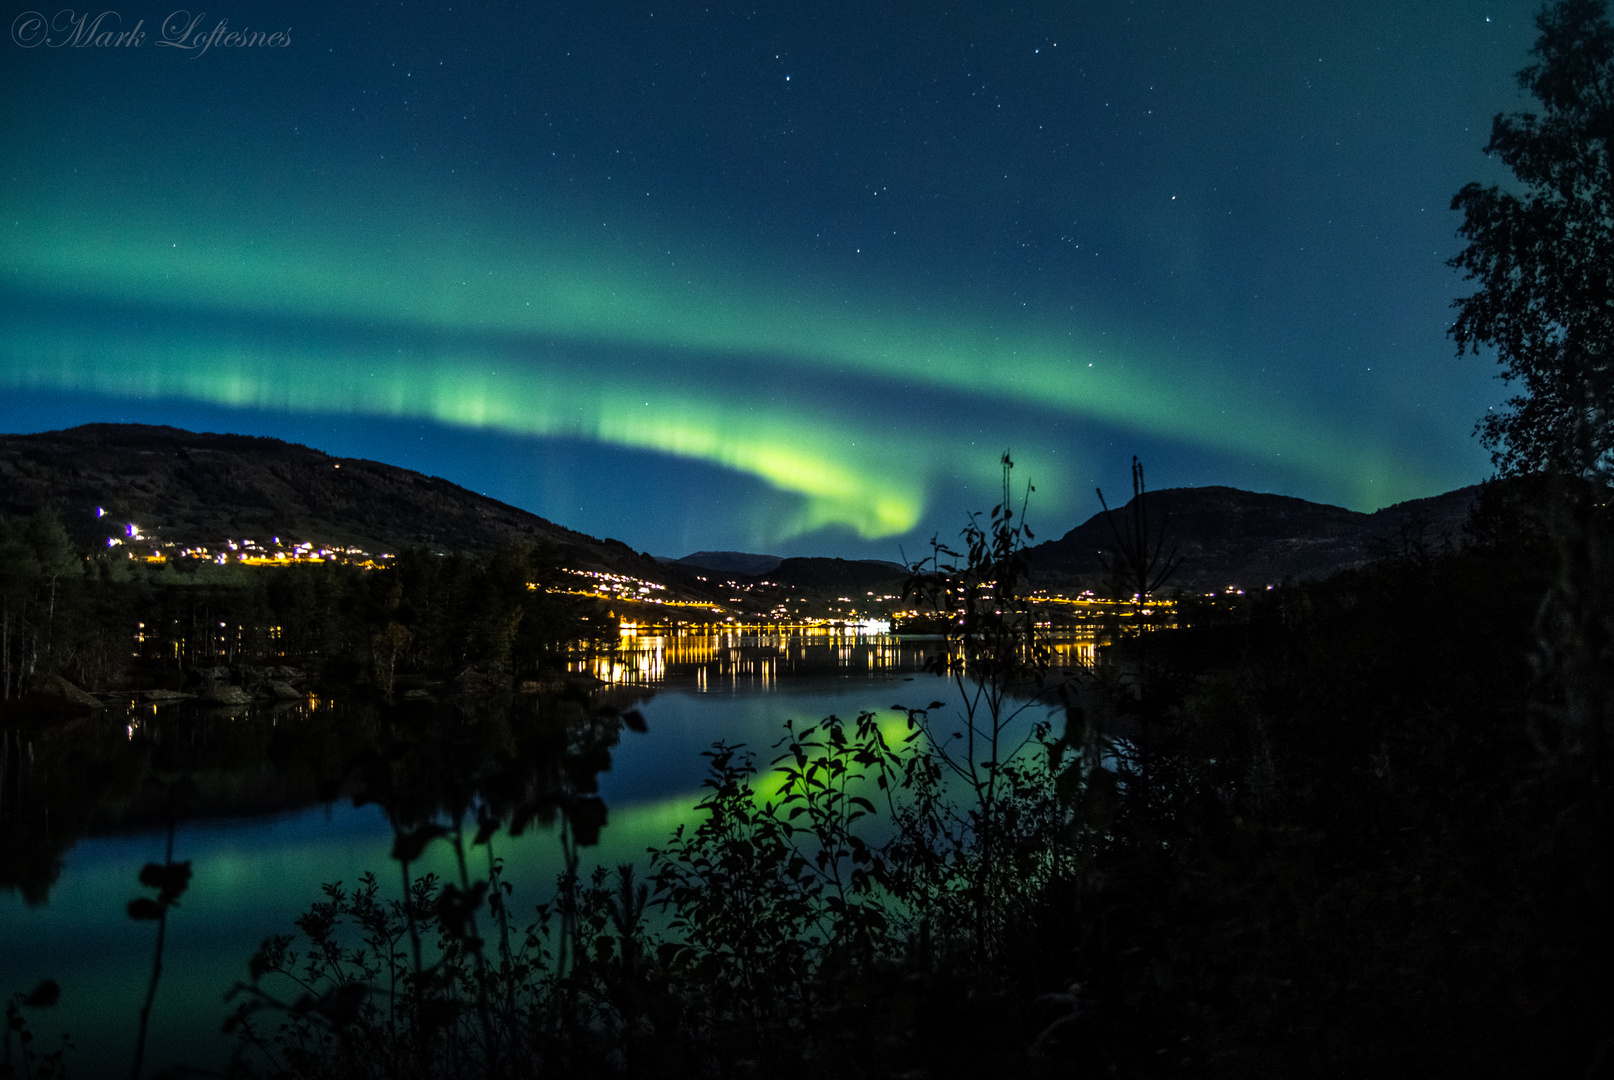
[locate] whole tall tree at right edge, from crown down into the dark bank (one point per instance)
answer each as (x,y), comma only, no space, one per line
(1545,266)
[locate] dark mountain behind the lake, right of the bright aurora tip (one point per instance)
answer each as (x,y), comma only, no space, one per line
(1250,540)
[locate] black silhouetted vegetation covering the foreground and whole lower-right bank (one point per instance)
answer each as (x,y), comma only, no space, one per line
(1355,827)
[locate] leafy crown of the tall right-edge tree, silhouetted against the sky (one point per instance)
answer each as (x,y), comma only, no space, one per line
(1544,259)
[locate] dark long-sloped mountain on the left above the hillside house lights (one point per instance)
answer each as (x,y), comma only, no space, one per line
(204,488)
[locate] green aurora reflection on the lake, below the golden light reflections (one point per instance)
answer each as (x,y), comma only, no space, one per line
(254,877)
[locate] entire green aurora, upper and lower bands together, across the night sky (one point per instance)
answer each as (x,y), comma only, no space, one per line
(451,290)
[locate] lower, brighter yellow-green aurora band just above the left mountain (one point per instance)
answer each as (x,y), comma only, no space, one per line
(845,480)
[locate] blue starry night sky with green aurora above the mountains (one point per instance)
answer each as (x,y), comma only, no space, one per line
(777,278)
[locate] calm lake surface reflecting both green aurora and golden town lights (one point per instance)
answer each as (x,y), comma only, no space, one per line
(253,876)
